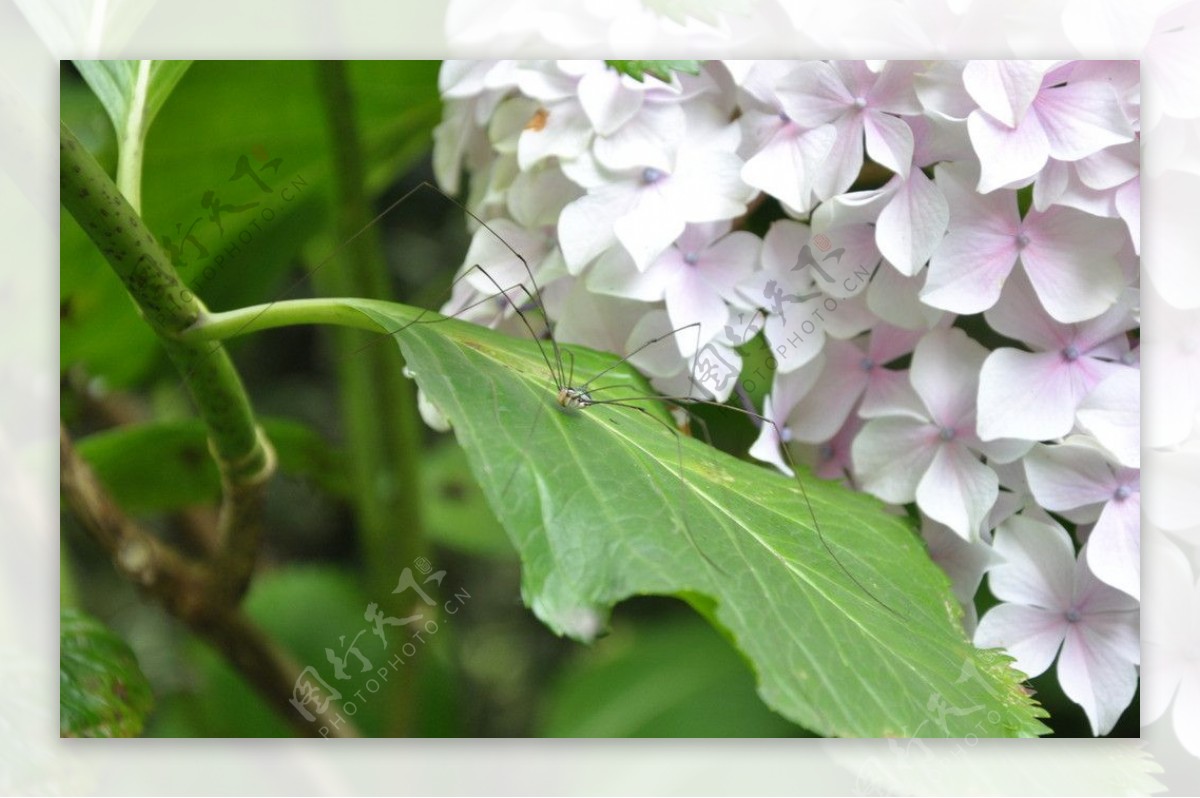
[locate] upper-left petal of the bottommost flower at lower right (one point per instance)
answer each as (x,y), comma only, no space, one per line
(1039,565)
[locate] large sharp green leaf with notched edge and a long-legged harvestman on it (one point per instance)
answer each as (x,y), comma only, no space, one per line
(596,506)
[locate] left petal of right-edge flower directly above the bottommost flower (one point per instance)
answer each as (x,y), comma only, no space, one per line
(1069,477)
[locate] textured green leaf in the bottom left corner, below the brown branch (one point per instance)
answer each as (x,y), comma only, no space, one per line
(103,692)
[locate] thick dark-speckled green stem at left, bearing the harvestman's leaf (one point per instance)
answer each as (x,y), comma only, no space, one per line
(241,449)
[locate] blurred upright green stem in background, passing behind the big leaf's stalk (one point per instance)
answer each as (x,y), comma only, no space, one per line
(379,404)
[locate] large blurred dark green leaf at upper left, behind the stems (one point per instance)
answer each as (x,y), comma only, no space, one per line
(231,130)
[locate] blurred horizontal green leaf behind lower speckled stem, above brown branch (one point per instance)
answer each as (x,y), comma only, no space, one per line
(166,465)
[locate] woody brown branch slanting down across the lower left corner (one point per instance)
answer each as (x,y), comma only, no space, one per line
(194,593)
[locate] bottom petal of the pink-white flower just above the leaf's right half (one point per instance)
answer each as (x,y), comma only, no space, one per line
(958,490)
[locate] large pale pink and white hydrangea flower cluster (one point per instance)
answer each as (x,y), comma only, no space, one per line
(946,277)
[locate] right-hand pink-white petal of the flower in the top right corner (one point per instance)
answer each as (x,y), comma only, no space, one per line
(1081,119)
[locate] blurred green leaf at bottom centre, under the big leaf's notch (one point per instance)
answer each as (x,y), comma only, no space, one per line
(659,680)
